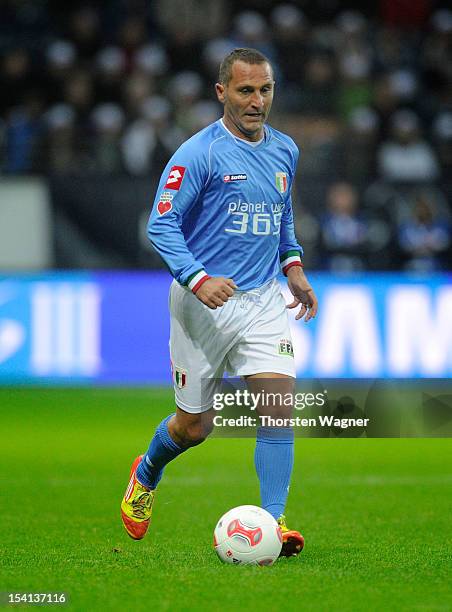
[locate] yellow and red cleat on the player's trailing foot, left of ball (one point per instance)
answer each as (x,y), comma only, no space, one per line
(136,506)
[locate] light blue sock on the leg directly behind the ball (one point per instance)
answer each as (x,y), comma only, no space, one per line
(273,459)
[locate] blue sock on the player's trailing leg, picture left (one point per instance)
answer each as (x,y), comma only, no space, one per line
(161,451)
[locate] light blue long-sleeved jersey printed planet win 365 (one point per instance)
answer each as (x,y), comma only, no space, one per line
(223,208)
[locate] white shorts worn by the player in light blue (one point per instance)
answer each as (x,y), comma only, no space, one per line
(248,335)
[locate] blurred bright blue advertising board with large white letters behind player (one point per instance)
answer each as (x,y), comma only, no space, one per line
(113,328)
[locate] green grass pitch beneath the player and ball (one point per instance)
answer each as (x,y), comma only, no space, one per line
(376,514)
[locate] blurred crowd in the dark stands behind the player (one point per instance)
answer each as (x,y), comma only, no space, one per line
(115,87)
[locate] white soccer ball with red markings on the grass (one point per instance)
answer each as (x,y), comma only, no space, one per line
(247,535)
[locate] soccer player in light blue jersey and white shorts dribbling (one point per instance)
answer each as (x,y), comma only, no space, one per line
(222,221)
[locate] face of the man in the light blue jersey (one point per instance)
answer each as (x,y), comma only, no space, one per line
(247,99)
